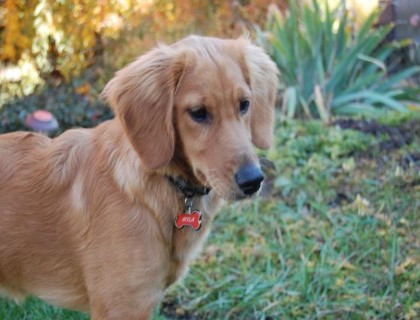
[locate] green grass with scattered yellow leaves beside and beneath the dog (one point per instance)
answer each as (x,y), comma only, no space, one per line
(335,238)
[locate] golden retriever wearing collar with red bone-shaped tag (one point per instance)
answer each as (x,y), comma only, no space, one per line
(103,220)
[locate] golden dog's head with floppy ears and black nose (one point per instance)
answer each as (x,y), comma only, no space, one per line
(205,100)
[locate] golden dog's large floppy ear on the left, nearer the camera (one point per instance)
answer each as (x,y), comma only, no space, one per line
(142,97)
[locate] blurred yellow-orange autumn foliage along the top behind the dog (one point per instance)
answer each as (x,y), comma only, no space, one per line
(67,36)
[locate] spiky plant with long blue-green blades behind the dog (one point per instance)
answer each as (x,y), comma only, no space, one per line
(326,69)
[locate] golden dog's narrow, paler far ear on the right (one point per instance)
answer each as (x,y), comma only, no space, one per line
(263,82)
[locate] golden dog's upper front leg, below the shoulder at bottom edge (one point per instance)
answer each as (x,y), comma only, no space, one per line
(125,265)
